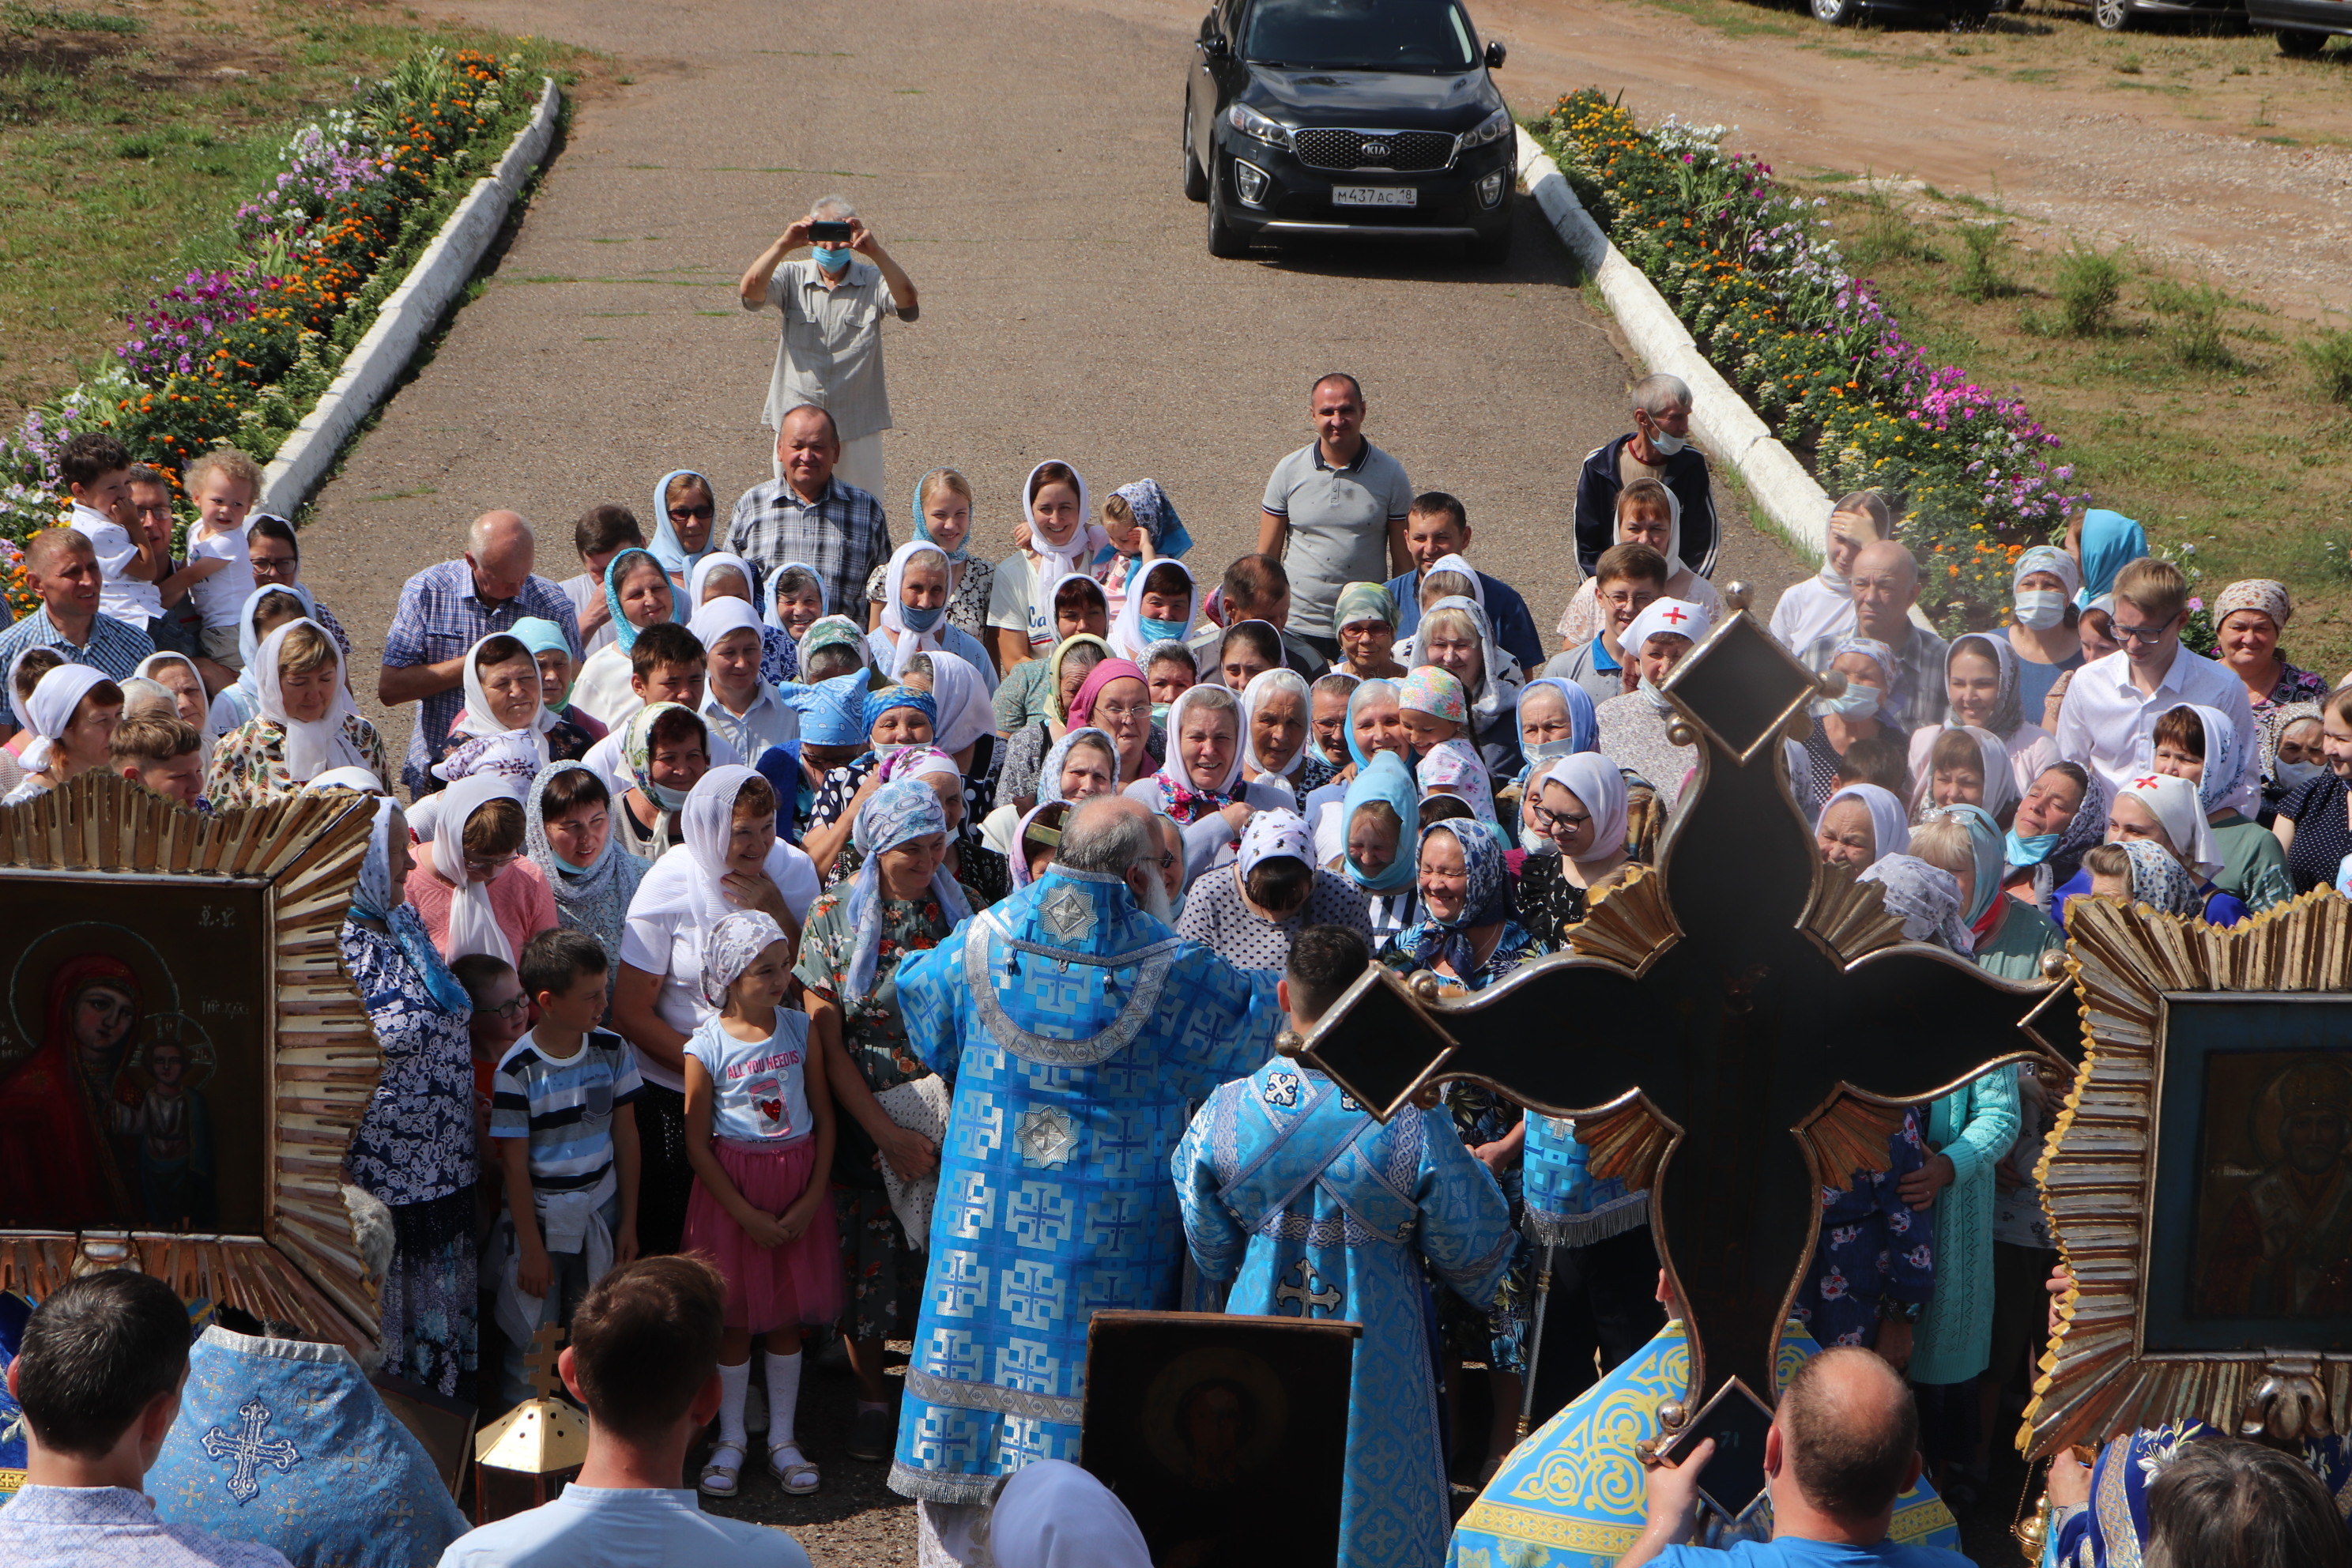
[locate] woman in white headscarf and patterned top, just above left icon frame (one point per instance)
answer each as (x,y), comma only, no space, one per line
(305,723)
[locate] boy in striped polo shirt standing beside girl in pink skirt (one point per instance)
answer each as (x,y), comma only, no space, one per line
(568,1141)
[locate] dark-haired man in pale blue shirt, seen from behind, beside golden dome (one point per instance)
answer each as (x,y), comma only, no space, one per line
(646,1360)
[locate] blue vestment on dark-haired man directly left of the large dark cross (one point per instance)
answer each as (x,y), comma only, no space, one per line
(1314,1209)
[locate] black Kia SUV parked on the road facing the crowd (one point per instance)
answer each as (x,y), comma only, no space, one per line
(1347,116)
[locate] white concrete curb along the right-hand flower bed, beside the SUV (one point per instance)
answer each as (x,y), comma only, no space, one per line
(1789,497)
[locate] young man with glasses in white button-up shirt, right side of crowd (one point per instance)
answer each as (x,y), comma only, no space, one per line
(2109,718)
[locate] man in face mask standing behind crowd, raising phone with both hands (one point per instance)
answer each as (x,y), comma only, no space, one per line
(831,344)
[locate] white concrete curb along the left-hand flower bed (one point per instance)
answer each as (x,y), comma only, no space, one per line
(406,316)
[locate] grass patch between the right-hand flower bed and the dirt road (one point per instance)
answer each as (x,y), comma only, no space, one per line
(2210,417)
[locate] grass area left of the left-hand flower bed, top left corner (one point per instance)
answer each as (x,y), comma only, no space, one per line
(128,138)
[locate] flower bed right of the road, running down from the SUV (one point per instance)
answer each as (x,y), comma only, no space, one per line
(1768,297)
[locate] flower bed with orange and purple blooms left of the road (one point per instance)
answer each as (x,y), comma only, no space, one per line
(239,354)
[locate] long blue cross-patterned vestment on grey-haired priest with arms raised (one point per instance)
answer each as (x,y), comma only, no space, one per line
(1076,1033)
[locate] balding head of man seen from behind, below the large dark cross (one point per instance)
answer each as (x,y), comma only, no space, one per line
(1850,1433)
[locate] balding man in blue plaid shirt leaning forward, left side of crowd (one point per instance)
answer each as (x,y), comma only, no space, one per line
(443,612)
